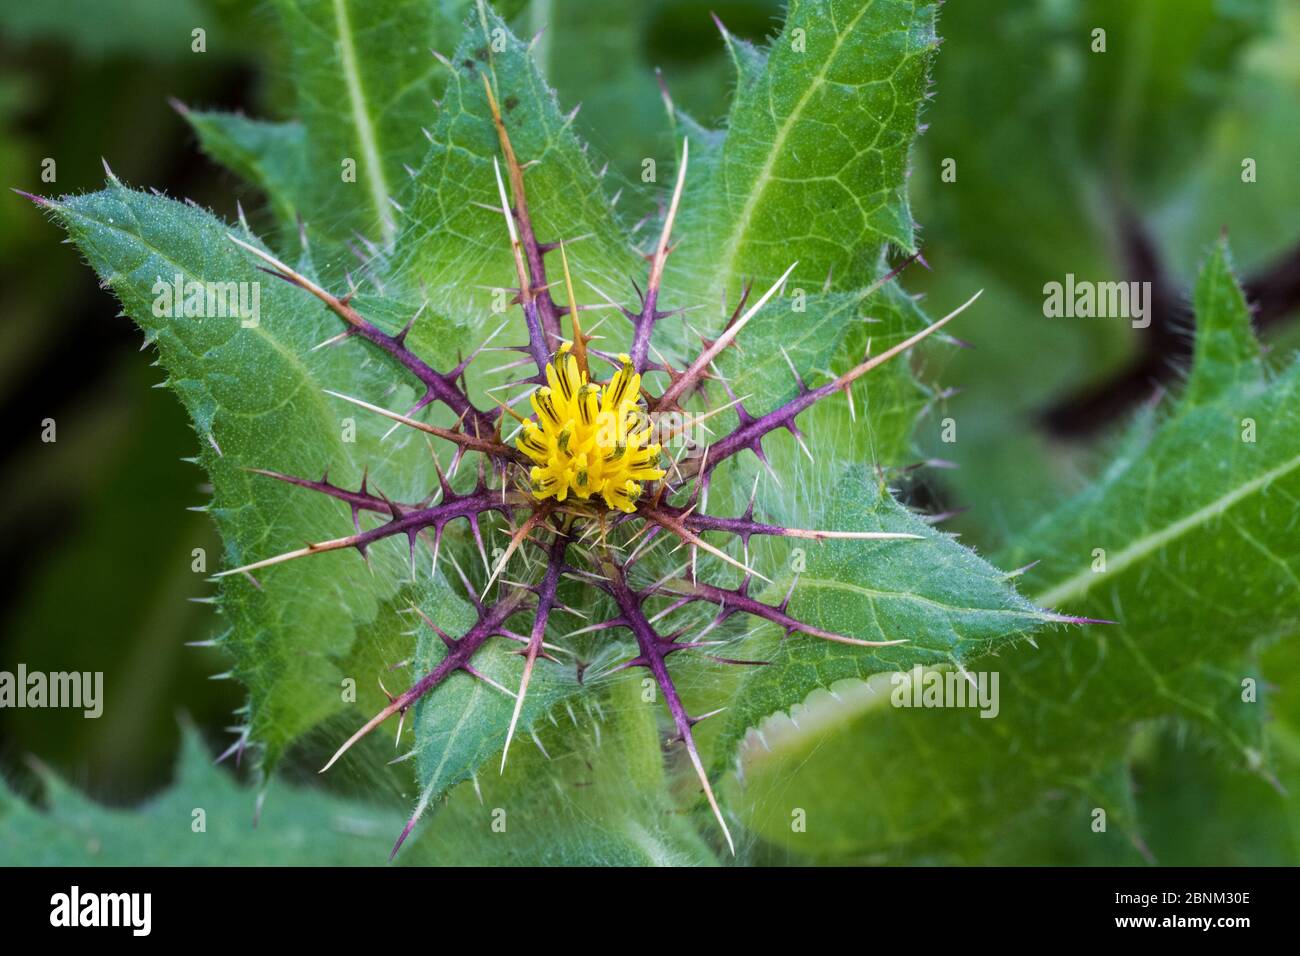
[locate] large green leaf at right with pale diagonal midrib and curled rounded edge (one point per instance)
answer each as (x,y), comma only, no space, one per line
(1198,526)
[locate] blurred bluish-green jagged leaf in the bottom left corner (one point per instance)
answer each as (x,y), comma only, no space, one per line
(297,827)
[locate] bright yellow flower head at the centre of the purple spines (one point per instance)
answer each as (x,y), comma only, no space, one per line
(590,439)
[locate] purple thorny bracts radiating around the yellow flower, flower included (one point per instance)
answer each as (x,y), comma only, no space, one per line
(586,479)
